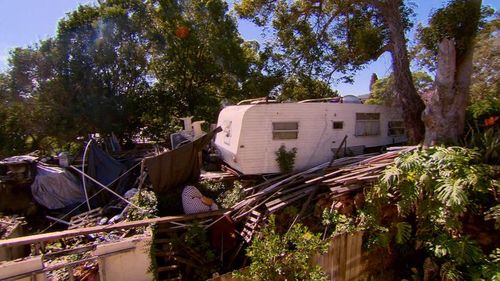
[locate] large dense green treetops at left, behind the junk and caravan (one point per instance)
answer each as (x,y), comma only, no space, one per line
(127,67)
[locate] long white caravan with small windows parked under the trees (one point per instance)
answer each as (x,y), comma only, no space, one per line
(252,133)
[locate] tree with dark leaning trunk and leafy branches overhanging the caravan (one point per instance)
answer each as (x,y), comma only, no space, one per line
(325,38)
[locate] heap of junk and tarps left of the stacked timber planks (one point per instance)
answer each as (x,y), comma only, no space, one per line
(97,198)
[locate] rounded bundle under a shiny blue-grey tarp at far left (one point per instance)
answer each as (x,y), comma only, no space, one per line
(56,188)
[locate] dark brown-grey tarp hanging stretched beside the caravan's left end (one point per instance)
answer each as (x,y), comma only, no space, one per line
(178,166)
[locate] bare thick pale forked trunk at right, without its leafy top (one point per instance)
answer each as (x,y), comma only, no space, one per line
(444,115)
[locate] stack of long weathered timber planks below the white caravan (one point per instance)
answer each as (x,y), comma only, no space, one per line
(345,175)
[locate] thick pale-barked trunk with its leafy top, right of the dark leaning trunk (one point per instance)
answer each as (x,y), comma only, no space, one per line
(450,38)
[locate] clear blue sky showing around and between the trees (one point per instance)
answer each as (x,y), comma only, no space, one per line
(26,22)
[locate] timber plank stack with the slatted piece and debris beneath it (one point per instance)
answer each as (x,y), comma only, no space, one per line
(336,185)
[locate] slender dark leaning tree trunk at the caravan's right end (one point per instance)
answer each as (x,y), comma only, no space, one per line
(411,102)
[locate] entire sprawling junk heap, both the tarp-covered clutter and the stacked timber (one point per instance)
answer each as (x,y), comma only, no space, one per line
(97,198)
